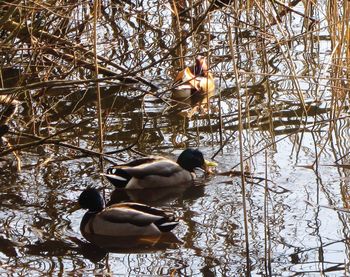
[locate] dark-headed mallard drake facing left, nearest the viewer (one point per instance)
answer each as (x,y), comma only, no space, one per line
(121,220)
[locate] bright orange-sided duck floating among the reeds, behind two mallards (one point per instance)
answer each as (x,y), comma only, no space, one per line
(195,81)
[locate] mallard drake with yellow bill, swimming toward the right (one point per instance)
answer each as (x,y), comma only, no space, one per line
(157,171)
